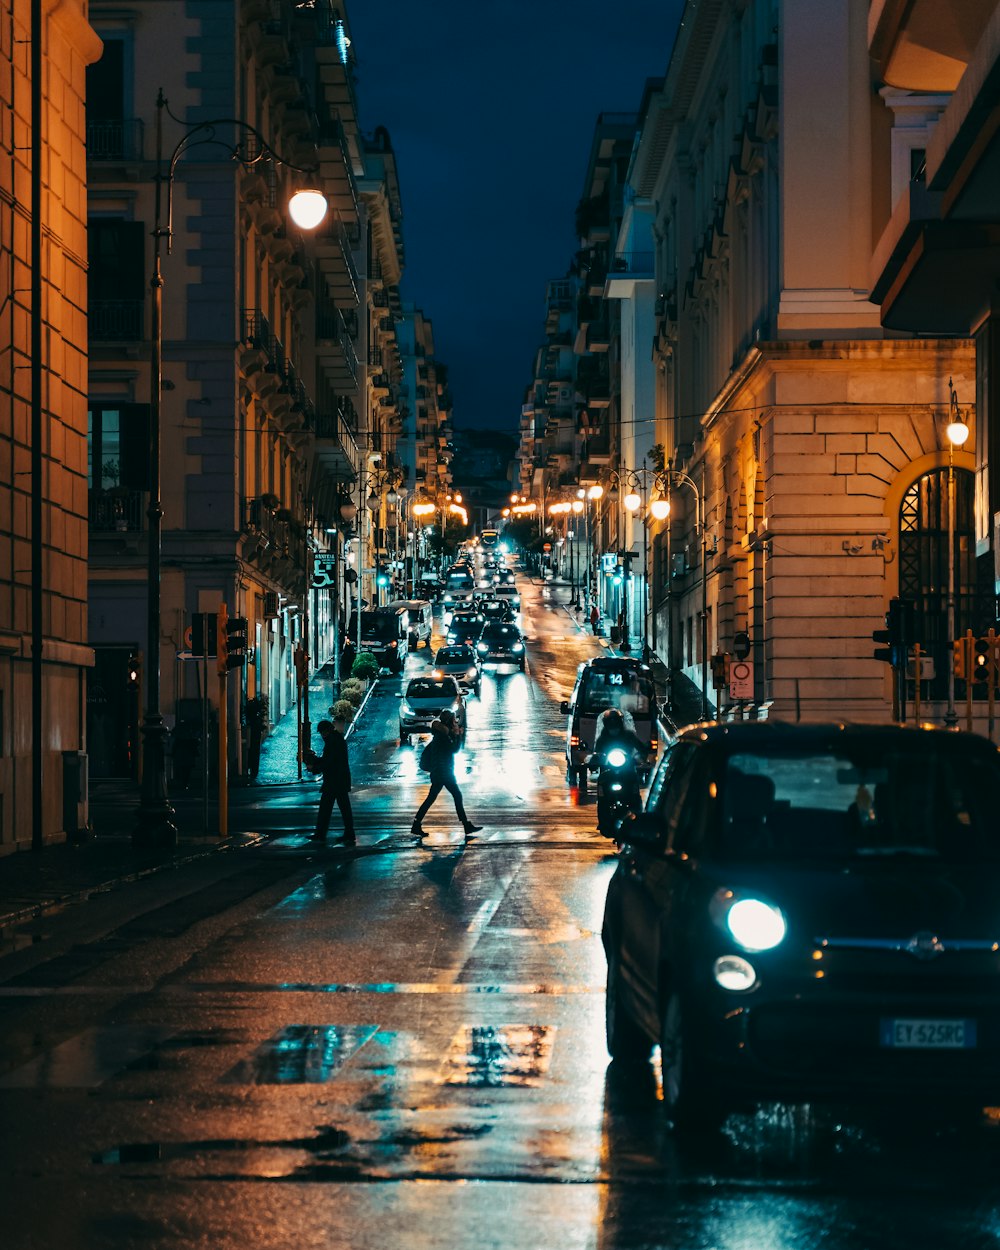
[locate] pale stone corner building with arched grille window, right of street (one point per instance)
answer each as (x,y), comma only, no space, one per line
(807,438)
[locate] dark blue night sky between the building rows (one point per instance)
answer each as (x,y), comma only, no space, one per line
(491,109)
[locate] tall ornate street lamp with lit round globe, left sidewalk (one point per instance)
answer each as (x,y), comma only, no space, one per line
(156,818)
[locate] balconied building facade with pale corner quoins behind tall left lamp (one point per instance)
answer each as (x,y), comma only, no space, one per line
(278,359)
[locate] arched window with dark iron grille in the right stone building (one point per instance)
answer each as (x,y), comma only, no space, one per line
(923,566)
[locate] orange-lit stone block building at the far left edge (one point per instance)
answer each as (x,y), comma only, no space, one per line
(44,652)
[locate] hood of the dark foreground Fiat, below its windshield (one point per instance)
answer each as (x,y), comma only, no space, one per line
(884,897)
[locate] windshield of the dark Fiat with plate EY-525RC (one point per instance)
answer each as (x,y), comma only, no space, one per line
(868,802)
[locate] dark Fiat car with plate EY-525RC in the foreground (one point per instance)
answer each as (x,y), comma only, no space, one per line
(811,912)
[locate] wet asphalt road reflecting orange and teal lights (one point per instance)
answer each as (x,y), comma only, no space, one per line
(404,1046)
